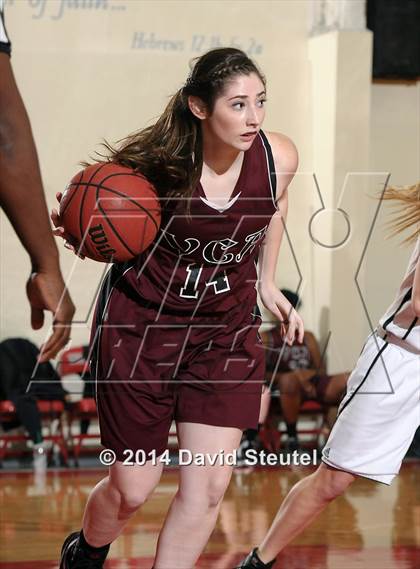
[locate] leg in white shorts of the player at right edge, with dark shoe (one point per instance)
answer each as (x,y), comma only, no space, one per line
(383,391)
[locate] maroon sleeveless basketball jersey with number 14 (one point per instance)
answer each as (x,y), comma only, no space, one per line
(205,263)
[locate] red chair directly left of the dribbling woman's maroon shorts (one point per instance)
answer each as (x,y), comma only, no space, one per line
(74,361)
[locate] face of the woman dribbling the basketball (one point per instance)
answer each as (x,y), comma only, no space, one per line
(238,112)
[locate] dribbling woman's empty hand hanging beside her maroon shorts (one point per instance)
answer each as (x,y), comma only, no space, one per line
(292,326)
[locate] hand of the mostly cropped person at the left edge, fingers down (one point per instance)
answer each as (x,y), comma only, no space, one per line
(46,291)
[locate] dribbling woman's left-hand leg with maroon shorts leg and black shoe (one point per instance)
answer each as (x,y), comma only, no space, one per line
(135,409)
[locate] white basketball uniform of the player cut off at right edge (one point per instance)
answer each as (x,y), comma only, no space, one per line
(380,413)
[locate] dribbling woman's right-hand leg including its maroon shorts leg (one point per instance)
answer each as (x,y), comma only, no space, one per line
(219,396)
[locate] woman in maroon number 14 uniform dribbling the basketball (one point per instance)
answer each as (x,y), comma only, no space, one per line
(175,333)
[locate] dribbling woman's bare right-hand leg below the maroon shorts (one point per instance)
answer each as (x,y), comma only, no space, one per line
(194,509)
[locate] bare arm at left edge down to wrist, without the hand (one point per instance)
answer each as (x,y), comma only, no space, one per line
(21,192)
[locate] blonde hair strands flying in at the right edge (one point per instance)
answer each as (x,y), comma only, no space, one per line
(407,200)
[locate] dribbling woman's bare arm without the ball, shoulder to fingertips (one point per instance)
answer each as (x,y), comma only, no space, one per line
(286,162)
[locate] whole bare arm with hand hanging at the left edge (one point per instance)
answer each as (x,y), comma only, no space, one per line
(22,198)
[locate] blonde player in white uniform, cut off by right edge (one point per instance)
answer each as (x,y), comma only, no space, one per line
(379,415)
